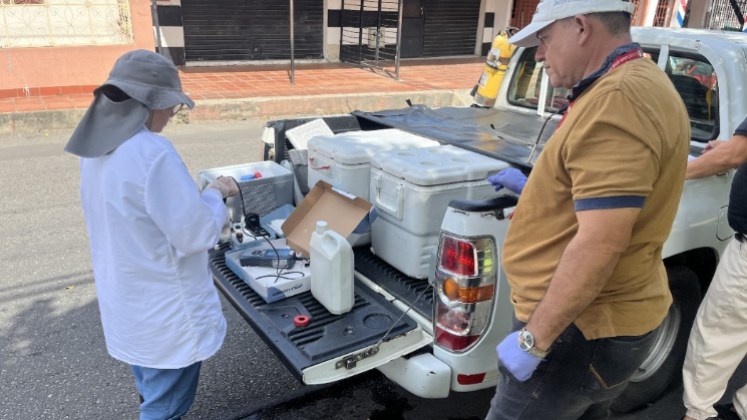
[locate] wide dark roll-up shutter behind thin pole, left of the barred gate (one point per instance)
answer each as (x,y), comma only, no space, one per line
(239,30)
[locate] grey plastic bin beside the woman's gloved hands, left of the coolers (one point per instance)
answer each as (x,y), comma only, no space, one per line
(270,187)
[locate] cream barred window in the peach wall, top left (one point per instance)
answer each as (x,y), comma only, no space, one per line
(50,23)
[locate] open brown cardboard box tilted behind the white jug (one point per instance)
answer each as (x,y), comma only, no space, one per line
(343,213)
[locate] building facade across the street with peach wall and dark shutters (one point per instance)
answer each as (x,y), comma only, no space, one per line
(73,43)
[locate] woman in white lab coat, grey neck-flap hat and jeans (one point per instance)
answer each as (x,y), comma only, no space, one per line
(149,230)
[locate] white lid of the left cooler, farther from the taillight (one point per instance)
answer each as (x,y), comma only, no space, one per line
(357,147)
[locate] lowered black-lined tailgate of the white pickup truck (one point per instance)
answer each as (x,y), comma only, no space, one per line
(331,347)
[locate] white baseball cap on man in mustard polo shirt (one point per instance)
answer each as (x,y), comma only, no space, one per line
(548,11)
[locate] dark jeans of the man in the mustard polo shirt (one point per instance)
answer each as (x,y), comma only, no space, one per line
(578,379)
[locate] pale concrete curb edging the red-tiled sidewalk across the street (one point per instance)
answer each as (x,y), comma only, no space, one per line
(251,108)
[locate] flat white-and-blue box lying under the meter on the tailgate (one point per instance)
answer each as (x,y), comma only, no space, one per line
(265,280)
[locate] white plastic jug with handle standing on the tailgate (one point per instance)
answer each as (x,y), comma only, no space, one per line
(331,270)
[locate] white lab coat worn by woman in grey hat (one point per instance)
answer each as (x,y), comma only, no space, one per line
(149,230)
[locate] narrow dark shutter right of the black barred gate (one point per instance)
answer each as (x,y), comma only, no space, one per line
(450,27)
